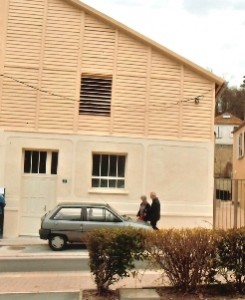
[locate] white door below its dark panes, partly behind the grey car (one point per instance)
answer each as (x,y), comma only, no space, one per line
(38,196)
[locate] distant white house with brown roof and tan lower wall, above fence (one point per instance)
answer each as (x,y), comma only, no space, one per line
(224,126)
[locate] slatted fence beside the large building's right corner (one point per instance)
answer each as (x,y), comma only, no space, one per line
(229,203)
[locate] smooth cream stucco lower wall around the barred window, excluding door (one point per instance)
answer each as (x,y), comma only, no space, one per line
(174,171)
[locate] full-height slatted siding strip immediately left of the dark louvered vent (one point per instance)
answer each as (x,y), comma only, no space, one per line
(59,64)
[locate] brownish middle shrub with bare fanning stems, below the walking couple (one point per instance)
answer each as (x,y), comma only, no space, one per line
(186,256)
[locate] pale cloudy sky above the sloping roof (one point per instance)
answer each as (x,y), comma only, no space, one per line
(210,33)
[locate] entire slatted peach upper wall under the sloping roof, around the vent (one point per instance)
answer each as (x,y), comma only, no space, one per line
(50,43)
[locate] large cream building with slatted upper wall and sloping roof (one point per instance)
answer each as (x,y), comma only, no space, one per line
(92,110)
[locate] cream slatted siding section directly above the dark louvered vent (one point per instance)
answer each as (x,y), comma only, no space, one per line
(98,45)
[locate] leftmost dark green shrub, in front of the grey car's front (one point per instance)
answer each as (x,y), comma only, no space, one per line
(113,253)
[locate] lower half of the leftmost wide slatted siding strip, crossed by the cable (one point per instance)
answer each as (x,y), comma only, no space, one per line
(18,104)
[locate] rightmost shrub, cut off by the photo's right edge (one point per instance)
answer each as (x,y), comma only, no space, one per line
(231,257)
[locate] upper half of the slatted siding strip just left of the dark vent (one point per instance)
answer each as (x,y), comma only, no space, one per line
(61,37)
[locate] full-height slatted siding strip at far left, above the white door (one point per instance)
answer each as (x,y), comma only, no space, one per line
(22,56)
